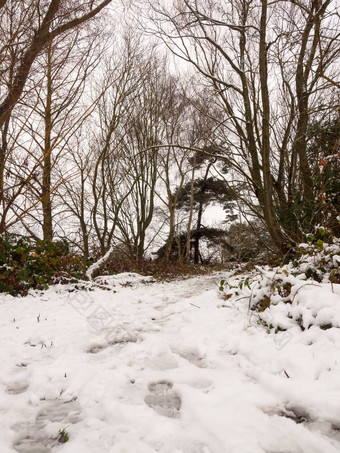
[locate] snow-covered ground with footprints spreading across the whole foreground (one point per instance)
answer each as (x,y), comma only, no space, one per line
(172,368)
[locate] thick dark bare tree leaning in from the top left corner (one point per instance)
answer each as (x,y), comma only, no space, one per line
(27,28)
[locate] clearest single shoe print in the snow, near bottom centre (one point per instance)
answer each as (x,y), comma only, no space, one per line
(163,399)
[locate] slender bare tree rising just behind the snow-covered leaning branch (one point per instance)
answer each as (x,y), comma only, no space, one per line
(120,84)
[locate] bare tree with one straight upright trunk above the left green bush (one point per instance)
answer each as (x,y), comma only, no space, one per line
(67,64)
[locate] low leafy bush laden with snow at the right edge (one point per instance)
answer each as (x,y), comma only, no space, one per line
(304,293)
